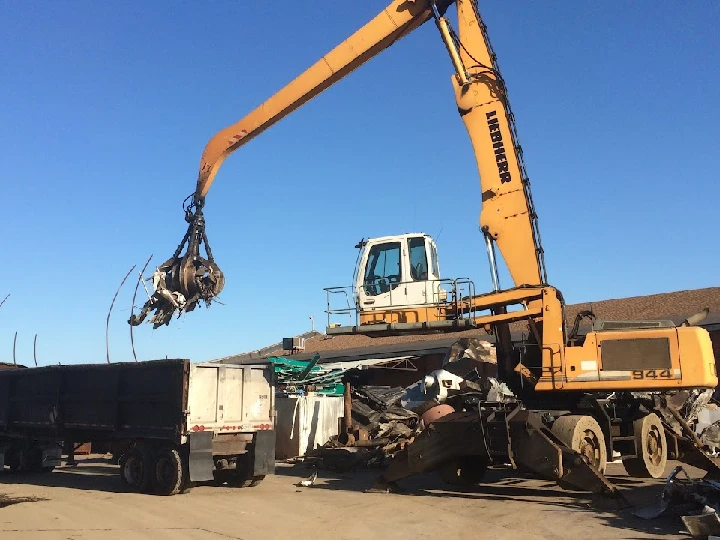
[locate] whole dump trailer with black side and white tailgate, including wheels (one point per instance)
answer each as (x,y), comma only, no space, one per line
(169,422)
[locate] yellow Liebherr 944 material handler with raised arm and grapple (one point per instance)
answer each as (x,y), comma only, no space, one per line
(625,390)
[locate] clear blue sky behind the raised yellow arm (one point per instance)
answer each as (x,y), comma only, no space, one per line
(106,109)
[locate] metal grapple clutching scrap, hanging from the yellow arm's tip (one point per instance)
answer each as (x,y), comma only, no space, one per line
(183,281)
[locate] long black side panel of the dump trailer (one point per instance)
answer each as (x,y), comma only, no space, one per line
(144,399)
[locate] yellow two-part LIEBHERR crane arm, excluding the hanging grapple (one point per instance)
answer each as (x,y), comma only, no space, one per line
(507,215)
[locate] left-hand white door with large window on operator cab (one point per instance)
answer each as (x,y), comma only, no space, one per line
(382,276)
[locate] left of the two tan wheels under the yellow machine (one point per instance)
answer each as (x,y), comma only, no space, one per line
(584,435)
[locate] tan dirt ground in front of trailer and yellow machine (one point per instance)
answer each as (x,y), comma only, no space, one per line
(87,502)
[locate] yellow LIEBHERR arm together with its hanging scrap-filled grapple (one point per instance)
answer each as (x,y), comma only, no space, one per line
(507,220)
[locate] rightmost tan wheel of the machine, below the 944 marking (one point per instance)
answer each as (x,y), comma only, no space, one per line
(651,444)
